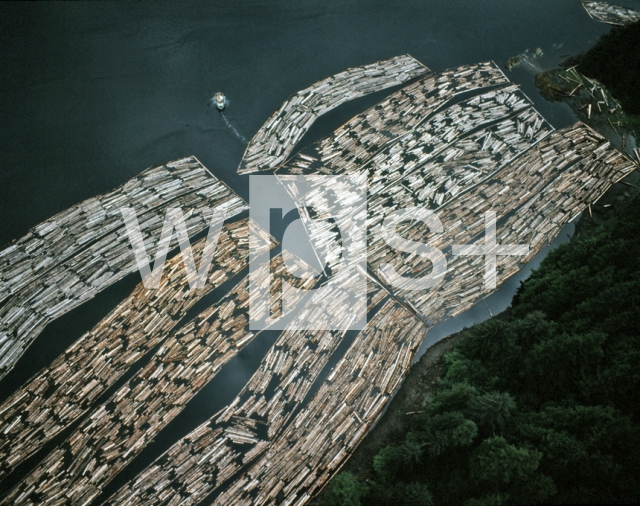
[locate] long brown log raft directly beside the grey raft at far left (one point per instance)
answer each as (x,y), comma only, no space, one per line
(59,394)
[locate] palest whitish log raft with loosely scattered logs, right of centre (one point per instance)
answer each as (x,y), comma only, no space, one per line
(443,156)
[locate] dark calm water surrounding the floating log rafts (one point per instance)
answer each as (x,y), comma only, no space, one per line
(93,93)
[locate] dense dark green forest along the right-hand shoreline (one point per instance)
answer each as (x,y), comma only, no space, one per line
(537,405)
